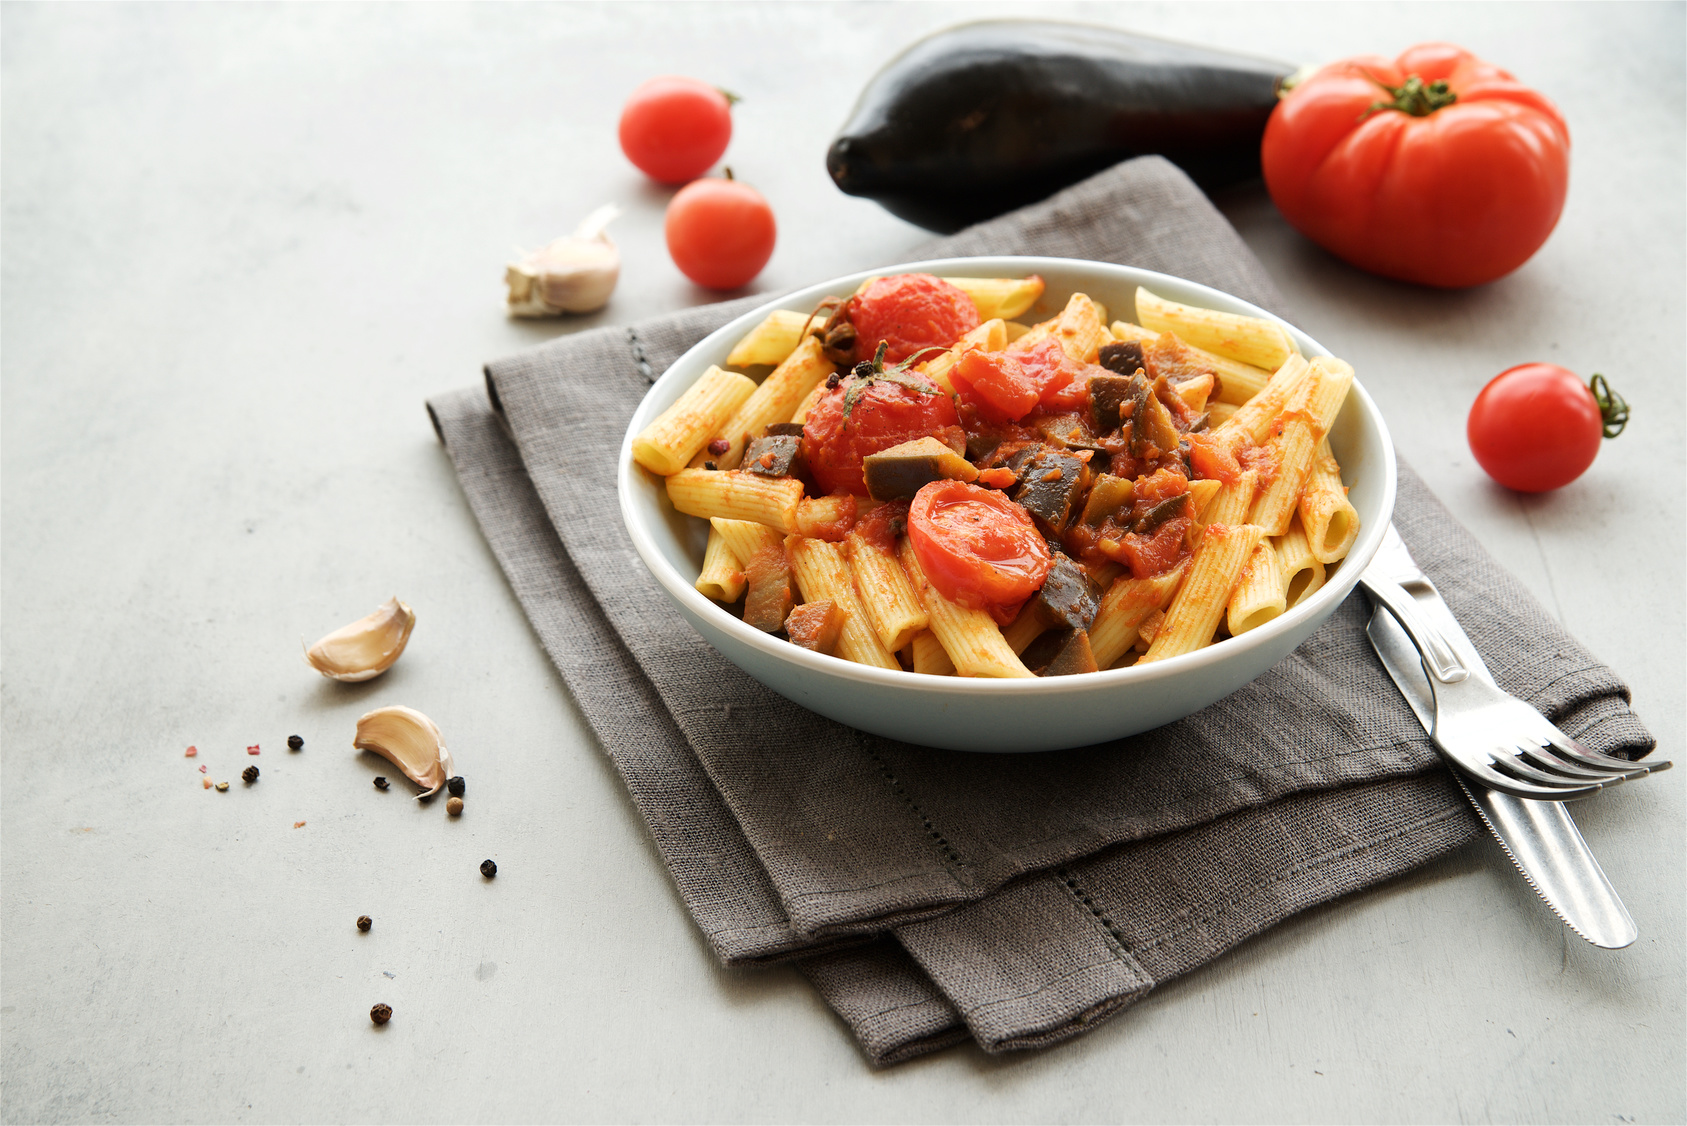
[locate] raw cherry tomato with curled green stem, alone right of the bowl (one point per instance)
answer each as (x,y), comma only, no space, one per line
(1538,428)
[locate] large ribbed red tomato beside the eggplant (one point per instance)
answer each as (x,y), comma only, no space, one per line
(1436,168)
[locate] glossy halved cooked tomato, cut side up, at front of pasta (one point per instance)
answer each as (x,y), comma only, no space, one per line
(976,546)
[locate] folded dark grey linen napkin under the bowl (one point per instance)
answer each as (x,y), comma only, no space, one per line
(1013,899)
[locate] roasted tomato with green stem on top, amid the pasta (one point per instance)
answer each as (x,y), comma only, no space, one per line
(863,416)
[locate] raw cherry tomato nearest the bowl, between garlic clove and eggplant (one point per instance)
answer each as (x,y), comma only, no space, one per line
(721,232)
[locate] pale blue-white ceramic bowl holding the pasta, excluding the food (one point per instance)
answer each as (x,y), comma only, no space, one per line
(979,715)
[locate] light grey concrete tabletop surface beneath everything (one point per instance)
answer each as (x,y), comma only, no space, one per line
(242,244)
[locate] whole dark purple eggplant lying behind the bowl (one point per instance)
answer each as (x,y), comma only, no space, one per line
(986,117)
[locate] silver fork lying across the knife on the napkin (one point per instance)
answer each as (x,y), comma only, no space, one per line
(1482,730)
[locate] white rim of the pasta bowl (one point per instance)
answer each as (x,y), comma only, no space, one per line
(682,590)
